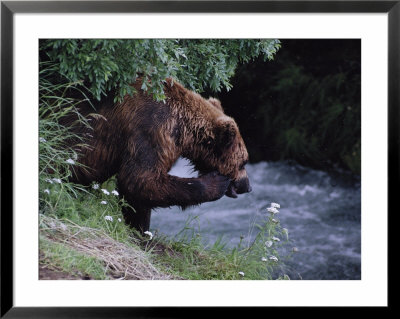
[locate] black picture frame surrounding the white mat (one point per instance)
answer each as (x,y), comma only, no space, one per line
(9,8)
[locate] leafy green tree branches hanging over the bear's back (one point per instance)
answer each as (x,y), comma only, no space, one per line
(107,64)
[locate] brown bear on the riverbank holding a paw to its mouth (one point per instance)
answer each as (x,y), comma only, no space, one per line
(139,139)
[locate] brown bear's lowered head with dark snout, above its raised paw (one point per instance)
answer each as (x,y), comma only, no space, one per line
(223,150)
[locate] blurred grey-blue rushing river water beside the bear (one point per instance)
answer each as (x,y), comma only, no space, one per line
(322,213)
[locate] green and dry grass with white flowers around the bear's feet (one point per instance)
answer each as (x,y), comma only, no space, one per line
(82,229)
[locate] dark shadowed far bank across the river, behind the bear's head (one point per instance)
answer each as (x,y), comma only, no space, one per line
(304,106)
